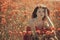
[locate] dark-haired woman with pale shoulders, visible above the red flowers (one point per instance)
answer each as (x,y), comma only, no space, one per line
(39,17)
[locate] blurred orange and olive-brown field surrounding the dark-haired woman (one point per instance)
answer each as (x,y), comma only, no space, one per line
(14,15)
